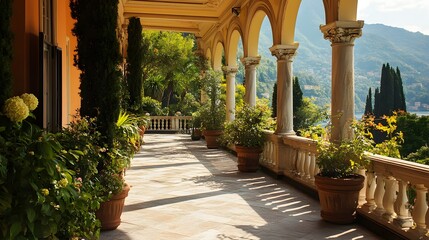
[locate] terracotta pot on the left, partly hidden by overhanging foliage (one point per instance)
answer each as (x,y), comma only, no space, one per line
(110,212)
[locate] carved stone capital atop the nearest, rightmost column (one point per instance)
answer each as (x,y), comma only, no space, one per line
(342,32)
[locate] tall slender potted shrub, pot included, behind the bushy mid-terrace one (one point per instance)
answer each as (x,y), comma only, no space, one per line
(213,112)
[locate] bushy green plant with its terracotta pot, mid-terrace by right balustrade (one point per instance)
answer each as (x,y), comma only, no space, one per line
(246,132)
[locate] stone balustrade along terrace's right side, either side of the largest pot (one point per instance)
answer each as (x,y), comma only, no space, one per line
(395,193)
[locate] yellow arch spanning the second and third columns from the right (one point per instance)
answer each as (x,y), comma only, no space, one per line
(260,10)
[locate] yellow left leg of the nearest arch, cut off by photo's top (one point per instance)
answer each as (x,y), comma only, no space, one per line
(289,17)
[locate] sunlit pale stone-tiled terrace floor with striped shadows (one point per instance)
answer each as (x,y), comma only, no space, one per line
(182,190)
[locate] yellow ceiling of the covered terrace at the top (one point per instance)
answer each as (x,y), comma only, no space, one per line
(193,16)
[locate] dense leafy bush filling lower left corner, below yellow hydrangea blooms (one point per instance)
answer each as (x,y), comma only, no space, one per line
(43,195)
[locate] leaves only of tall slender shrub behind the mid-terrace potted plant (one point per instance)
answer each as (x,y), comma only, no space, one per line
(213,112)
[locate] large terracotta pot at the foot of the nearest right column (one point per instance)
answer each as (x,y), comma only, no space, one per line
(339,197)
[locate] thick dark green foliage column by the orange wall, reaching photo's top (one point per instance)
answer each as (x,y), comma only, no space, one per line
(98,58)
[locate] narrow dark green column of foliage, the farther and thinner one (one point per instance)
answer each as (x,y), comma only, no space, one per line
(134,74)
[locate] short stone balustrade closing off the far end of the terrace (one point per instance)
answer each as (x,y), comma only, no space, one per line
(169,123)
